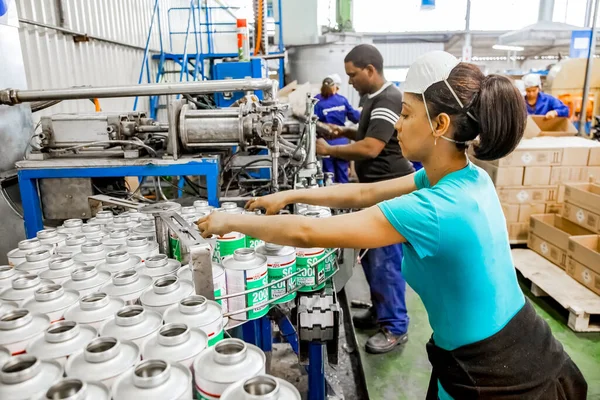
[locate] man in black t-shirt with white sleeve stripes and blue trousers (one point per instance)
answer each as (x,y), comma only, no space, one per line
(378,157)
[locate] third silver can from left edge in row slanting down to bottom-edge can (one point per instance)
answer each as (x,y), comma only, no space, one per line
(104,359)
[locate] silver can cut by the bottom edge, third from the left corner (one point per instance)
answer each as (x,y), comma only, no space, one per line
(154,380)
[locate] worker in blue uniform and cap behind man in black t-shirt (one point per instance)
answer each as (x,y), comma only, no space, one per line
(333,108)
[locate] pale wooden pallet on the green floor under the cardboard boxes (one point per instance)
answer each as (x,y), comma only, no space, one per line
(549,280)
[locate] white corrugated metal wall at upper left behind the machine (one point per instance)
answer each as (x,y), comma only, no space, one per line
(53,59)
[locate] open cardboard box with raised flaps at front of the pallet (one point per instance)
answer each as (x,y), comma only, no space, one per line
(550,235)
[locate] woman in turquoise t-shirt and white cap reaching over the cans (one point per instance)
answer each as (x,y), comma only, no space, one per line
(487,340)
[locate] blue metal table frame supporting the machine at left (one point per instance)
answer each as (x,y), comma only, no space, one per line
(28,177)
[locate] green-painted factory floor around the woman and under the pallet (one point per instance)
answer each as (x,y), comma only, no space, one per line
(404,372)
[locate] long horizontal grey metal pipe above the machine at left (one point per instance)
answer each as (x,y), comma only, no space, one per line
(15,96)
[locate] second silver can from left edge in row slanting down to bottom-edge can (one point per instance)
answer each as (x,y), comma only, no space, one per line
(60,340)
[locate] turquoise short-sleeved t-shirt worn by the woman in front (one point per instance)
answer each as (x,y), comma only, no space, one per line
(457,256)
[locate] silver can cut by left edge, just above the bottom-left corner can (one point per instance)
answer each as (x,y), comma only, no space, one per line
(18,327)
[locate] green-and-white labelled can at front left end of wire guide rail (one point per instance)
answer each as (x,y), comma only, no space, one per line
(246,270)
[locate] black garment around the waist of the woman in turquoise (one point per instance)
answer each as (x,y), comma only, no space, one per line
(523,361)
